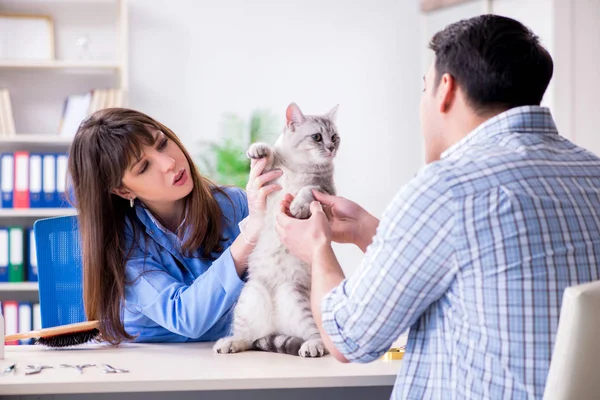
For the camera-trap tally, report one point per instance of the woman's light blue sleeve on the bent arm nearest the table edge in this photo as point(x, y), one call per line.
point(187, 310)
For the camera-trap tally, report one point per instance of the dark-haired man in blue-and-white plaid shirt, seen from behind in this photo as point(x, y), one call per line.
point(474, 253)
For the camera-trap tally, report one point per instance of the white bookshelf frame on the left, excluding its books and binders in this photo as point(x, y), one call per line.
point(39, 88)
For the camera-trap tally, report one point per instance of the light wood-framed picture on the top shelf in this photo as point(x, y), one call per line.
point(26, 37)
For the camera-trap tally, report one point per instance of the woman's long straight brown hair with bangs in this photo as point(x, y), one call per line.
point(101, 152)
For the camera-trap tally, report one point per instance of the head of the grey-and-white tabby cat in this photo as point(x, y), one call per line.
point(315, 137)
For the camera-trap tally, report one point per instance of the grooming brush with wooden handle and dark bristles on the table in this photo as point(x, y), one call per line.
point(61, 336)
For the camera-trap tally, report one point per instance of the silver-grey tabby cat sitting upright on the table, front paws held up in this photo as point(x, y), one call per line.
point(273, 312)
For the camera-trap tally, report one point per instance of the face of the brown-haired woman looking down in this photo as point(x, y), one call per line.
point(161, 175)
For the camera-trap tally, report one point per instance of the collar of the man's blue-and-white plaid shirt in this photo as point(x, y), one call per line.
point(525, 119)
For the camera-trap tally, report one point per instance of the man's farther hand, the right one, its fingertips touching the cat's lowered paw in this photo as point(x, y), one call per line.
point(350, 223)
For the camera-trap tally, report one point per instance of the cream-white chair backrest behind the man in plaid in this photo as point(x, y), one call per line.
point(575, 366)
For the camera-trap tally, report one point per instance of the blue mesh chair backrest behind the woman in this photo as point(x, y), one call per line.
point(58, 250)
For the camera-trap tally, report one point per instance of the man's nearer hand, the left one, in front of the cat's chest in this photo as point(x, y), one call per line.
point(305, 237)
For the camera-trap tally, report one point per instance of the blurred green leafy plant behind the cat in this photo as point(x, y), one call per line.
point(226, 163)
